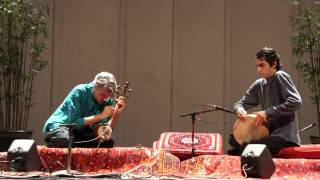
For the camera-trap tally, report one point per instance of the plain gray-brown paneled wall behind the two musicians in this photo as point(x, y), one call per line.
point(178, 55)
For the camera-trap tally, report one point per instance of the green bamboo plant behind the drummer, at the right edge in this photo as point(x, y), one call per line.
point(306, 45)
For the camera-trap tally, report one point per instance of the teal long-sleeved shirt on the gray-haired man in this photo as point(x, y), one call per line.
point(79, 103)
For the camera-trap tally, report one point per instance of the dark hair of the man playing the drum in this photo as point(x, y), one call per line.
point(270, 56)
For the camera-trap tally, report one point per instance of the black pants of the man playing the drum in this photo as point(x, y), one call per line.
point(274, 144)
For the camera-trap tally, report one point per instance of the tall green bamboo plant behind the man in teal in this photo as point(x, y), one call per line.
point(23, 30)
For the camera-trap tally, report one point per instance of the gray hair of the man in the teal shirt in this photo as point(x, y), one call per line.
point(105, 80)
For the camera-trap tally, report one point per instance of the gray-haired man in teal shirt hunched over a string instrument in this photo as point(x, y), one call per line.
point(87, 105)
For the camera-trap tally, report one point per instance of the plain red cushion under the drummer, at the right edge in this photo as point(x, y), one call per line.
point(308, 151)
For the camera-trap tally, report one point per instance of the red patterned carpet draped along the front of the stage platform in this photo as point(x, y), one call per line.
point(148, 163)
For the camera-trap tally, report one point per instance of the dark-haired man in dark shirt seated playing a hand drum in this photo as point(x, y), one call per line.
point(279, 99)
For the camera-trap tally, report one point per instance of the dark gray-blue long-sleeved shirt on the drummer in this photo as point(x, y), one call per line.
point(279, 98)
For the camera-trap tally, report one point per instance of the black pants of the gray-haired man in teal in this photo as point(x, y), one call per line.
point(59, 139)
